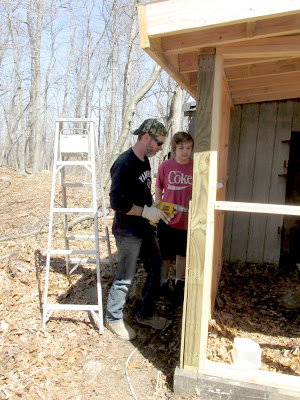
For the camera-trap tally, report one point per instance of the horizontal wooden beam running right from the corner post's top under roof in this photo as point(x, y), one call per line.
point(269, 47)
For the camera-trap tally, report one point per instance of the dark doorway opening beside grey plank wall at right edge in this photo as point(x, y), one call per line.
point(291, 224)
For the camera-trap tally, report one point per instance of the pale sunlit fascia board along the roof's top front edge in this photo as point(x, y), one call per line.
point(166, 17)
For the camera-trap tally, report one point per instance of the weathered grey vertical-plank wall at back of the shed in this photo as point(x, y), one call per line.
point(258, 155)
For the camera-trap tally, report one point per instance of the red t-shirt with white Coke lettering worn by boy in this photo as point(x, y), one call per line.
point(175, 180)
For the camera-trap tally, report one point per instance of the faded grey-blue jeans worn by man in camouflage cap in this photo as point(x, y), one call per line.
point(129, 250)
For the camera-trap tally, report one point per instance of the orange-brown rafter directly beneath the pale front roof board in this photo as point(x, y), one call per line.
point(234, 33)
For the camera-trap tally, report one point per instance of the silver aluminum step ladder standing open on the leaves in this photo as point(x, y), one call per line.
point(76, 151)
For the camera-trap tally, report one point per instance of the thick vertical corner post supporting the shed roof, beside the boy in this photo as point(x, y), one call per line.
point(201, 229)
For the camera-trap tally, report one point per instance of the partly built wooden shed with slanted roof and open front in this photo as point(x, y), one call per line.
point(240, 61)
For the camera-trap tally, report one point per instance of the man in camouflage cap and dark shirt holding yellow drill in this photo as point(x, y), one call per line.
point(130, 197)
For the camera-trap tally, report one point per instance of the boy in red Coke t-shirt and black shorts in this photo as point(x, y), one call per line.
point(174, 185)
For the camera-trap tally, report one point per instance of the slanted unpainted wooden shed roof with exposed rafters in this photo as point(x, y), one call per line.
point(259, 41)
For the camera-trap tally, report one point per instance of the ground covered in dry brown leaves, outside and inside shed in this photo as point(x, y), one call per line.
point(68, 359)
